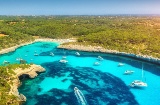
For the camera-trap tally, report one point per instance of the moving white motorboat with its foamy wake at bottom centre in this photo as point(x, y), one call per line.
point(80, 97)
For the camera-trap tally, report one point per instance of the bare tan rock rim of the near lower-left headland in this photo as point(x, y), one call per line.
point(31, 71)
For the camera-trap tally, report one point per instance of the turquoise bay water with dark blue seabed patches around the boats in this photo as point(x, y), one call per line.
point(104, 84)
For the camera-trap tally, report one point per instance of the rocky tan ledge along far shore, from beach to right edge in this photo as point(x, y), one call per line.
point(103, 50)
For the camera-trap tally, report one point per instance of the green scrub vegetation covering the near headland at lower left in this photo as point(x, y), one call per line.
point(7, 76)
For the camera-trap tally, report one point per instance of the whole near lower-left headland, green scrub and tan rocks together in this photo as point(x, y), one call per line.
point(11, 82)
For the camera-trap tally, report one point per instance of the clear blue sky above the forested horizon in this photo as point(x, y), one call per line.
point(78, 7)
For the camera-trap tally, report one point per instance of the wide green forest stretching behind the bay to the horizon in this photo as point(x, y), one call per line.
point(140, 35)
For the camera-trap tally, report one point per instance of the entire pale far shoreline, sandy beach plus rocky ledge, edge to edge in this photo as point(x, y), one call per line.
point(88, 48)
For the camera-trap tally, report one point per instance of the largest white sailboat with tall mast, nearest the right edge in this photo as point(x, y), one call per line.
point(139, 83)
